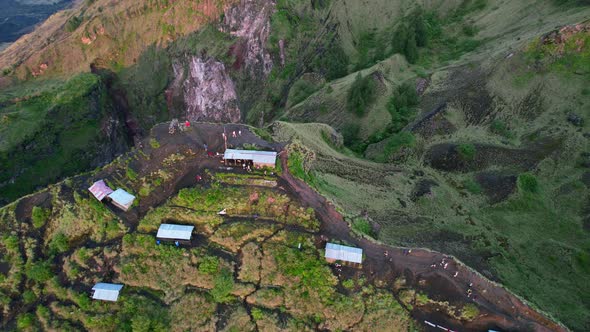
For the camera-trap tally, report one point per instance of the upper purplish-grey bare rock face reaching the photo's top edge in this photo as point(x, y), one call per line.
point(250, 21)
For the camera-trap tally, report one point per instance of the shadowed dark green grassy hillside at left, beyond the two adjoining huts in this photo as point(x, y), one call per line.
point(52, 129)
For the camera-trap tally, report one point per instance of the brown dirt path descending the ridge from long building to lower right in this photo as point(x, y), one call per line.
point(499, 309)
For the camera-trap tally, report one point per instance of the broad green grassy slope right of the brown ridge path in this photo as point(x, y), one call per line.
point(497, 175)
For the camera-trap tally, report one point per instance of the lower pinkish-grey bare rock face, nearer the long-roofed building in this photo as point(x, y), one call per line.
point(205, 91)
